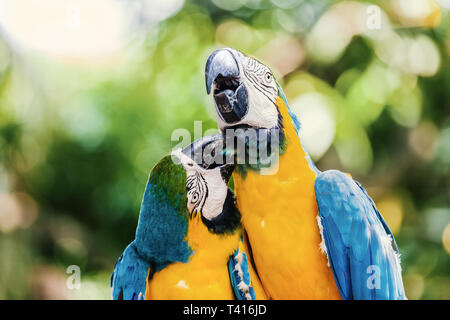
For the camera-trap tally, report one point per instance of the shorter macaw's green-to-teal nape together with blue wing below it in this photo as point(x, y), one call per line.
point(162, 227)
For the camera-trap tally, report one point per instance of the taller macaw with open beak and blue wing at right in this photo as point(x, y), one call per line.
point(313, 234)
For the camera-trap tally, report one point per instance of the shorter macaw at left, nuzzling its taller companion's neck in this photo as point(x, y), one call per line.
point(189, 242)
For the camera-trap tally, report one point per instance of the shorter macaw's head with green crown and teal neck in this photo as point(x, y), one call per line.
point(180, 191)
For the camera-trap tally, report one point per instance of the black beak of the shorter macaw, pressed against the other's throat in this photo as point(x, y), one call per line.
point(210, 153)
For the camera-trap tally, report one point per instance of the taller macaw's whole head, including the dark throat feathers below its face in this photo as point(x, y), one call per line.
point(250, 104)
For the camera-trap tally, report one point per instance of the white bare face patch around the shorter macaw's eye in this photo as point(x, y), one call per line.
point(206, 190)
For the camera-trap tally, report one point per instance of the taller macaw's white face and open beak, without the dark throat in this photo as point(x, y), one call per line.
point(245, 91)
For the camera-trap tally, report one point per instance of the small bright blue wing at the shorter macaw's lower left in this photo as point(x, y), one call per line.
point(128, 280)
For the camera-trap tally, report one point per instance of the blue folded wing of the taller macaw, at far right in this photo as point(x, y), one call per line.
point(361, 248)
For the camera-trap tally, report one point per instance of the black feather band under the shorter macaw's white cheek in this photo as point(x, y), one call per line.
point(228, 220)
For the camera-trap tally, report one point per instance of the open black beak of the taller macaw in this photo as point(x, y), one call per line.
point(230, 95)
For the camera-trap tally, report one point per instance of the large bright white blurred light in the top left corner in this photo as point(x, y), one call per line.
point(64, 28)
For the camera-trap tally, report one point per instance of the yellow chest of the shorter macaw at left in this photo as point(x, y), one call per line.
point(205, 276)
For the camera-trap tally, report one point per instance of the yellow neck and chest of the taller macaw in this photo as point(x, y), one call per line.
point(279, 213)
